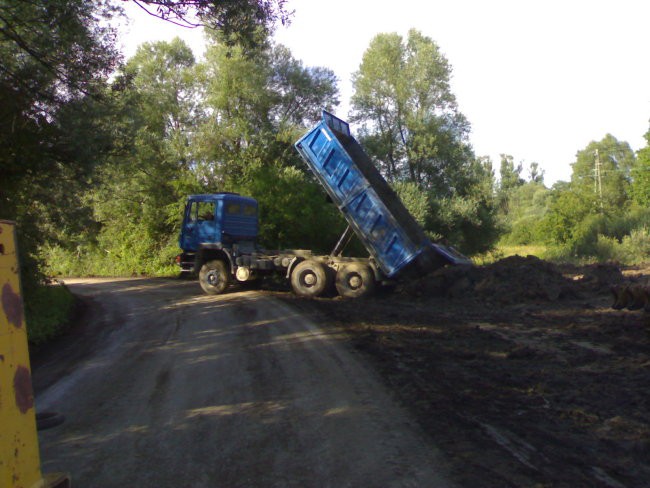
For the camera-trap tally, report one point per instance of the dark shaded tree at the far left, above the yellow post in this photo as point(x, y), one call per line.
point(55, 56)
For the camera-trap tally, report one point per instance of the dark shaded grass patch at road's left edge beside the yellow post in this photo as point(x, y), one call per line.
point(48, 311)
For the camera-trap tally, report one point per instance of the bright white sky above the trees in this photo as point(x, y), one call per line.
point(537, 80)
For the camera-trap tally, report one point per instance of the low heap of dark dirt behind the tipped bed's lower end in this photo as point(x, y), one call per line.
point(512, 280)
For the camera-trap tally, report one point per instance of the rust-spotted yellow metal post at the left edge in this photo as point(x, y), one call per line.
point(19, 457)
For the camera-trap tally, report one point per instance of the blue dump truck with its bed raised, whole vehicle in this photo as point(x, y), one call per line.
point(219, 231)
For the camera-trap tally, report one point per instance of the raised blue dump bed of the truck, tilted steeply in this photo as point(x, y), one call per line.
point(372, 209)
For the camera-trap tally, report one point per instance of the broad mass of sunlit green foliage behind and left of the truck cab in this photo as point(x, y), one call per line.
point(227, 124)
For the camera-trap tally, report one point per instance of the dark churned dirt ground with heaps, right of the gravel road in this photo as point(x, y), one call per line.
point(520, 372)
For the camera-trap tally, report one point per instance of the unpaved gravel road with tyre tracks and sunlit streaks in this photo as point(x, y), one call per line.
point(162, 386)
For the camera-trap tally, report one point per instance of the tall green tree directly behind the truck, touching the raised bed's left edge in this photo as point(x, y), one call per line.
point(259, 104)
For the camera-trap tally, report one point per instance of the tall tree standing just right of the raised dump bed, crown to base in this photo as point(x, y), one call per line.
point(412, 129)
